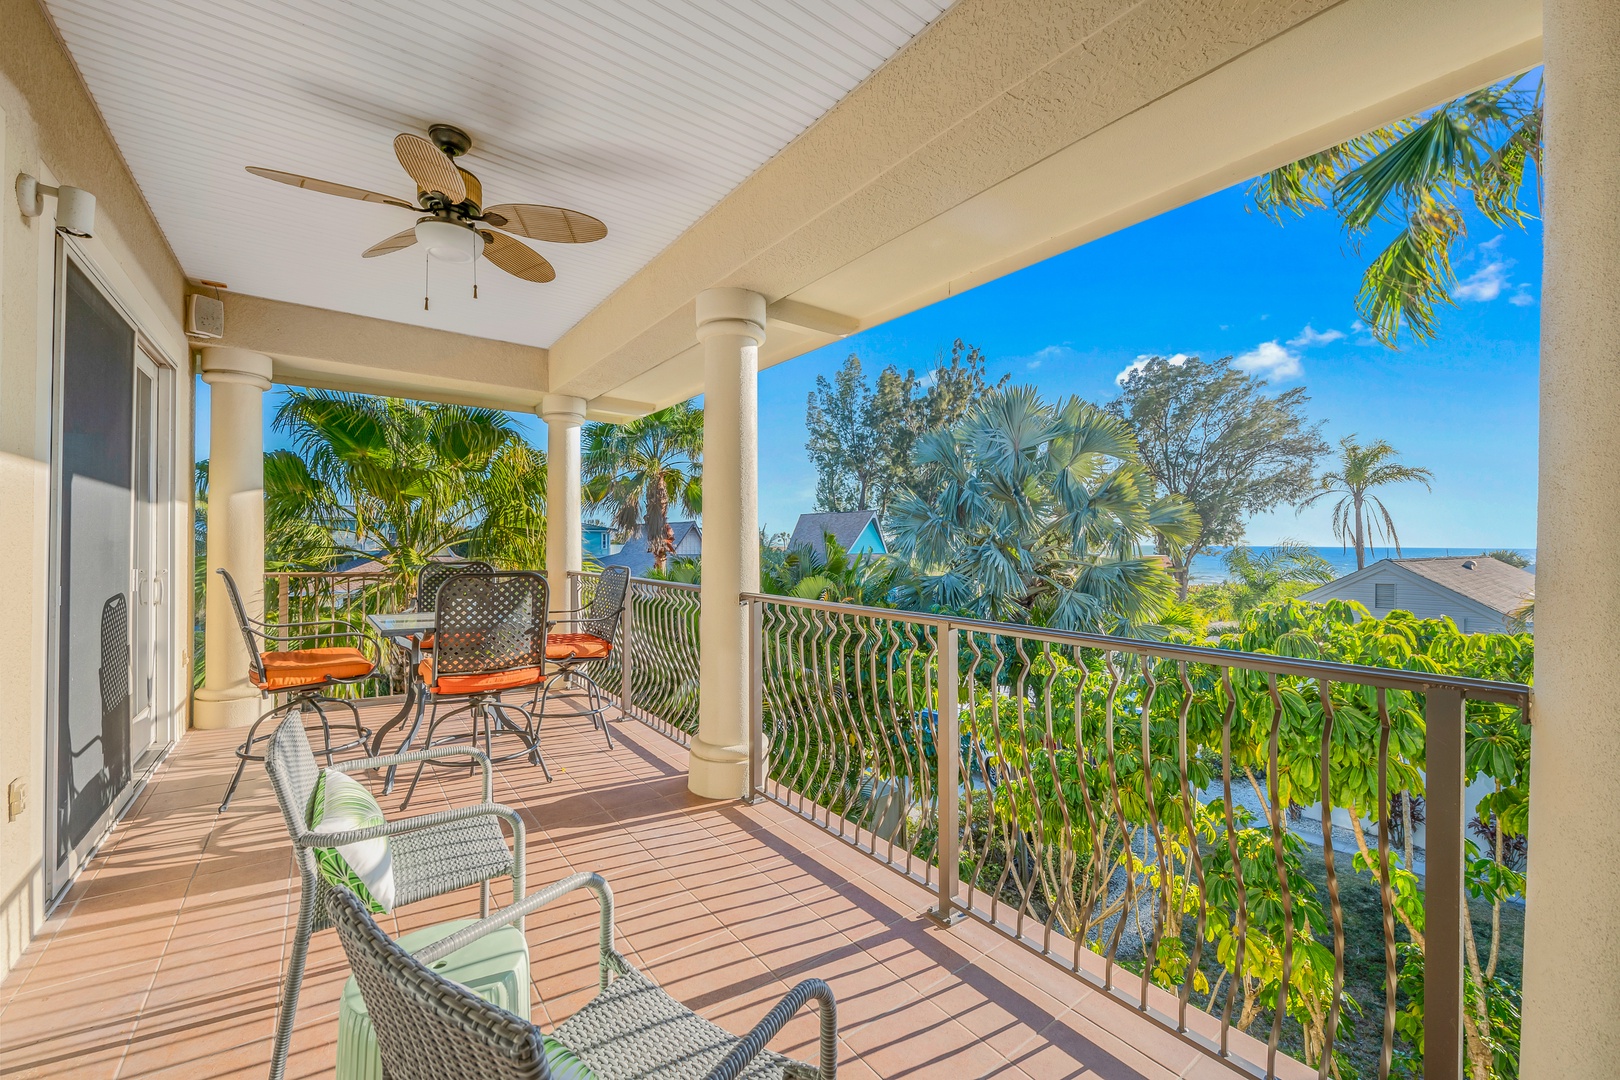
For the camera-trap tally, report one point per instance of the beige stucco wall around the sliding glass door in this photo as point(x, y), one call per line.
point(51, 129)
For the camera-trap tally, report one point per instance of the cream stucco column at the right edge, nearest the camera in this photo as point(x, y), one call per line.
point(1572, 932)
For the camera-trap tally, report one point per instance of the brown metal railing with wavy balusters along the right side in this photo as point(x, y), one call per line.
point(1128, 809)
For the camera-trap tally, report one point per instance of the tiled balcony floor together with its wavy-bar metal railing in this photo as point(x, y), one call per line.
point(1081, 933)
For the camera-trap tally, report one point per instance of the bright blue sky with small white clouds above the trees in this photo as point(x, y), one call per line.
point(1216, 279)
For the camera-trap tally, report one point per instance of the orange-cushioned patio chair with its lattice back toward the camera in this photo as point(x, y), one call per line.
point(490, 637)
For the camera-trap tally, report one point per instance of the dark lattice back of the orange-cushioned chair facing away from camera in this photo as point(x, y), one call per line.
point(490, 623)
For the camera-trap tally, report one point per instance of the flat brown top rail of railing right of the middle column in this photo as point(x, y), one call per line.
point(1388, 678)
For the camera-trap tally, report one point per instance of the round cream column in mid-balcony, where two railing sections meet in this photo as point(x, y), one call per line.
point(731, 326)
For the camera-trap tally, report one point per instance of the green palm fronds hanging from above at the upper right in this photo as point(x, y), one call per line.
point(1415, 176)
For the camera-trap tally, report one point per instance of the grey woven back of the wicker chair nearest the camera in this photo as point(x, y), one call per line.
point(428, 1027)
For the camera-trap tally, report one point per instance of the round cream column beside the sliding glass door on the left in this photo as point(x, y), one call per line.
point(236, 530)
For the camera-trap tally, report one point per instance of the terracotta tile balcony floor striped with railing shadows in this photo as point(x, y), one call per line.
point(164, 958)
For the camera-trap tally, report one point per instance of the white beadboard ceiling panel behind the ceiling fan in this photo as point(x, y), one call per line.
point(642, 113)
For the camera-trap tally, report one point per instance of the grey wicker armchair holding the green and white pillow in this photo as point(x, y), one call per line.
point(432, 854)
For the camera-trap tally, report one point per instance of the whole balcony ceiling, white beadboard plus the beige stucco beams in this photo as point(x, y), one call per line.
point(850, 161)
